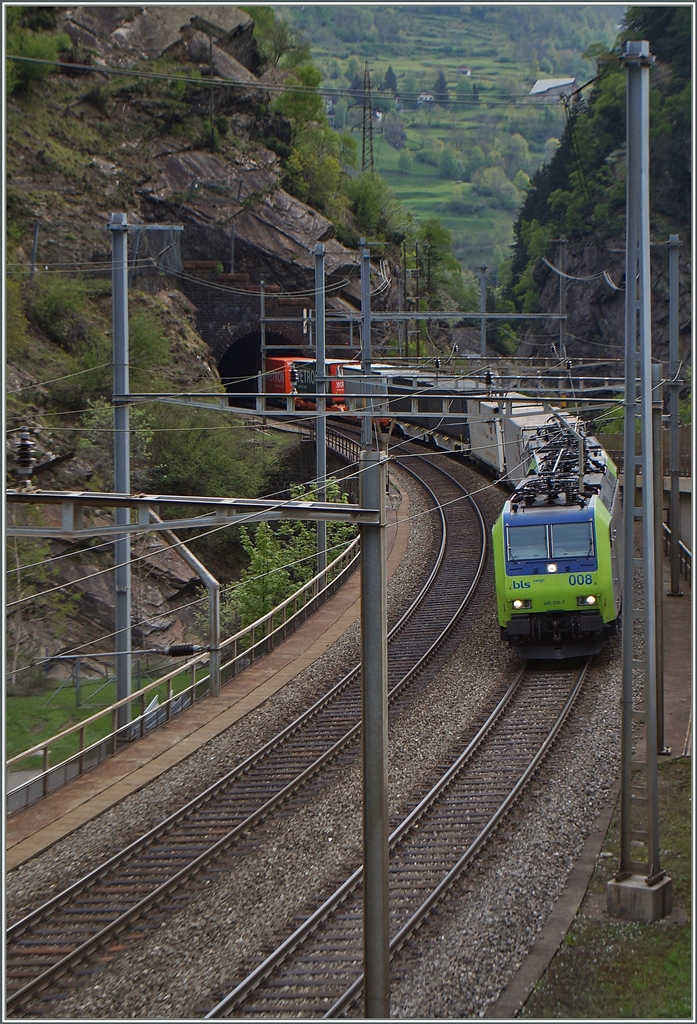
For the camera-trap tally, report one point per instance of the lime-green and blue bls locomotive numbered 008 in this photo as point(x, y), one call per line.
point(556, 549)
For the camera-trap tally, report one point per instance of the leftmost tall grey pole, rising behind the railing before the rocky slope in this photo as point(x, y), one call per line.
point(122, 474)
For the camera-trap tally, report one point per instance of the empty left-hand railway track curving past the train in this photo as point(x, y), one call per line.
point(64, 931)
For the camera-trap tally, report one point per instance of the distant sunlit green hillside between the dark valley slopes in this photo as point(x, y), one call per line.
point(468, 148)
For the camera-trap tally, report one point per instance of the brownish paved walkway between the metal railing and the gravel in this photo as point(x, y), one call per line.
point(32, 831)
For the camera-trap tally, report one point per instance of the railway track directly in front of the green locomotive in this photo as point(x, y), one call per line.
point(316, 972)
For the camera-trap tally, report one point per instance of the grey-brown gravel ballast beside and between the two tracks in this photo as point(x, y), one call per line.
point(180, 967)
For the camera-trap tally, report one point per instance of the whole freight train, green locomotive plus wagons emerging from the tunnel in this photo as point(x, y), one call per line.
point(556, 544)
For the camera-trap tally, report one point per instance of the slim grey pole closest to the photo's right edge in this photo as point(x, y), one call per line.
point(674, 393)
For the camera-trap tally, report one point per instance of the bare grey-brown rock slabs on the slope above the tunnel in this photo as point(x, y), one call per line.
point(214, 197)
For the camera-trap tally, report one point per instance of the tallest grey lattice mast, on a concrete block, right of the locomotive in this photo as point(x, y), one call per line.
point(640, 890)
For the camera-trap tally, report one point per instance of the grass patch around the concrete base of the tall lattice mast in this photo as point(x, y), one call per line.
point(609, 969)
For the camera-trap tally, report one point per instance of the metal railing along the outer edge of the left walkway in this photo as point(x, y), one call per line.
point(242, 650)
